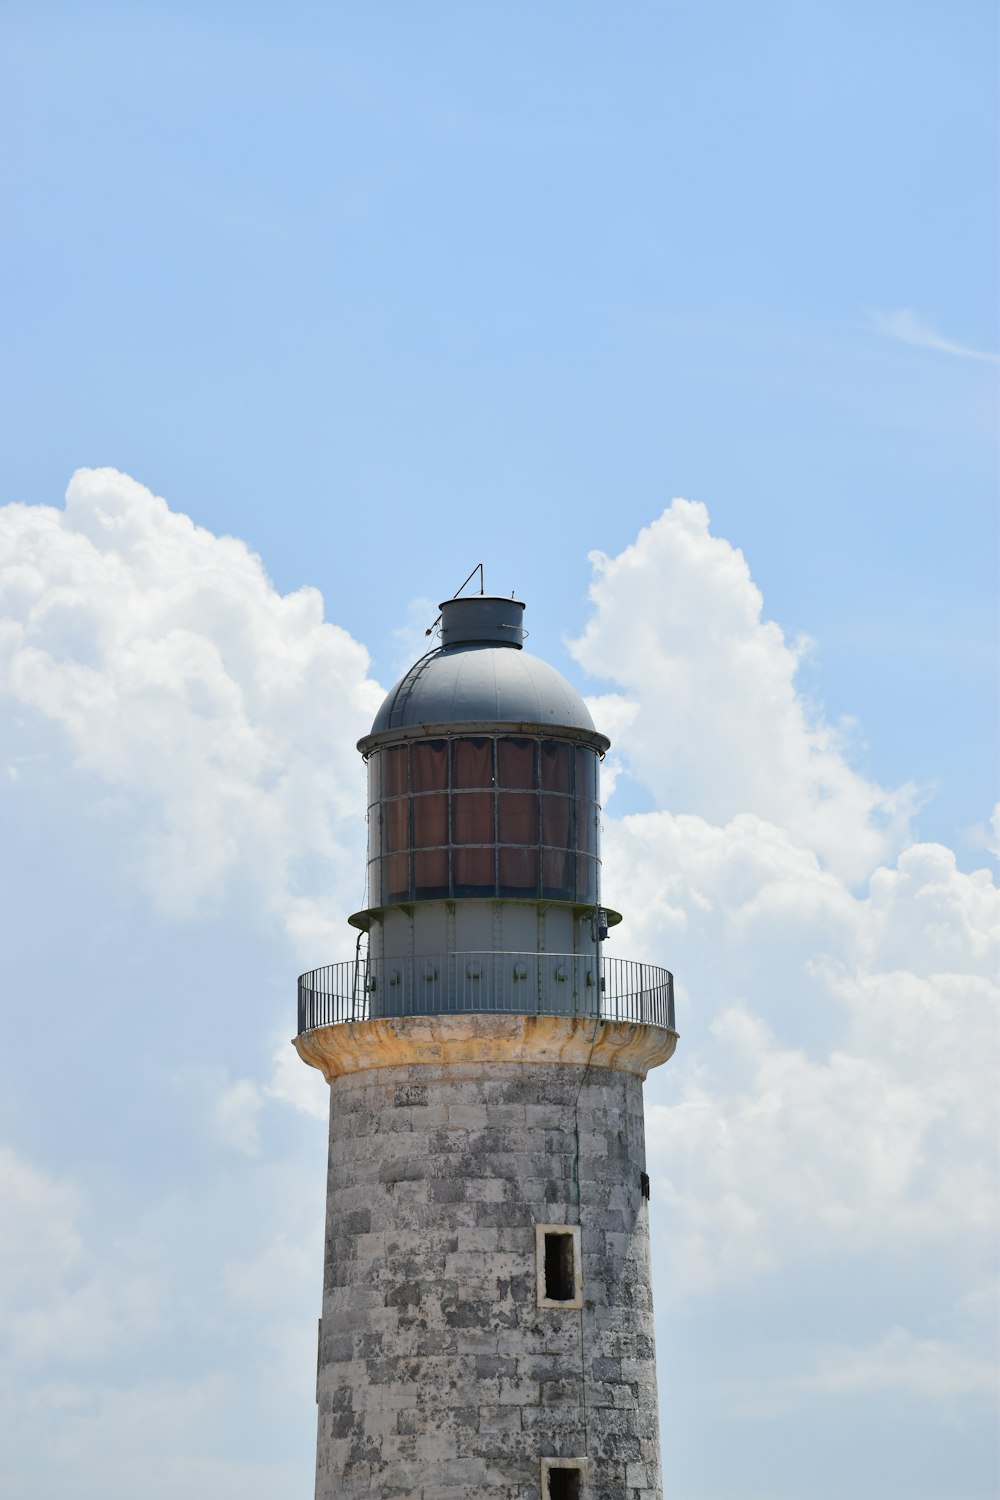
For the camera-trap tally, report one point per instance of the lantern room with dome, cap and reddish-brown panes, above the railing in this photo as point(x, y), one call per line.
point(484, 808)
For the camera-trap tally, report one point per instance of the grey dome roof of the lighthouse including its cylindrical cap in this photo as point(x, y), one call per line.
point(481, 679)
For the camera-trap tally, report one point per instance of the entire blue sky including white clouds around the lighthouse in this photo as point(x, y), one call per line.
point(379, 293)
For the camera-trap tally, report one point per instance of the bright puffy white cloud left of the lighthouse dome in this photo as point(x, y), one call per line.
point(223, 710)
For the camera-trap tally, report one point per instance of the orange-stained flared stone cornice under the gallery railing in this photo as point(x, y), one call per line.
point(400, 1042)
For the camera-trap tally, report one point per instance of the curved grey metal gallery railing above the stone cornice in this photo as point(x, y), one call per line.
point(487, 983)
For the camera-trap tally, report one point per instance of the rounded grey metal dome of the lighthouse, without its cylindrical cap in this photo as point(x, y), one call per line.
point(484, 685)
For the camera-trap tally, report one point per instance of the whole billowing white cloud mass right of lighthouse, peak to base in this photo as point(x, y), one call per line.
point(833, 1102)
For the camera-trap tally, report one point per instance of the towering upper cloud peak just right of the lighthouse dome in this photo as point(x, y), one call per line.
point(714, 724)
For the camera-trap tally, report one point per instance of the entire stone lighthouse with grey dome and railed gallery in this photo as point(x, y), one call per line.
point(488, 1309)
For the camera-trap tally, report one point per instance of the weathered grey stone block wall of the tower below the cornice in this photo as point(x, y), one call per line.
point(440, 1376)
